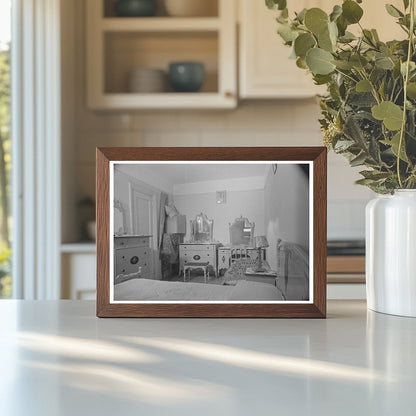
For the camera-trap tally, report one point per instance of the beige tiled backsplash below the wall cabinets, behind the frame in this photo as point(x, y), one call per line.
point(271, 123)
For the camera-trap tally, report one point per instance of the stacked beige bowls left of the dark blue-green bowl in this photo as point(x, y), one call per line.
point(147, 80)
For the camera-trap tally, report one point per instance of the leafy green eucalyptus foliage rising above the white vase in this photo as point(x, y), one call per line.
point(385, 96)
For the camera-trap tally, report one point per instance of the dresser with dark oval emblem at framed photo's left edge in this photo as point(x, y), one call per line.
point(132, 252)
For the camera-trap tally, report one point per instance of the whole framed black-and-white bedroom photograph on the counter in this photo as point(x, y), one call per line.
point(211, 232)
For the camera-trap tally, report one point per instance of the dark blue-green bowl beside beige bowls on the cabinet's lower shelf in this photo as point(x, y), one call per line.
point(186, 76)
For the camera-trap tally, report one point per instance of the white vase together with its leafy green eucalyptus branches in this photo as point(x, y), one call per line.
point(369, 116)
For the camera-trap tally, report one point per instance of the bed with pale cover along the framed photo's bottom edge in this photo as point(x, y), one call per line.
point(155, 290)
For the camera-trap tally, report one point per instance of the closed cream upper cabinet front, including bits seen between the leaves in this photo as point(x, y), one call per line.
point(265, 69)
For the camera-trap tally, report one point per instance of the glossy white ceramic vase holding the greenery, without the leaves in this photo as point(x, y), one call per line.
point(391, 253)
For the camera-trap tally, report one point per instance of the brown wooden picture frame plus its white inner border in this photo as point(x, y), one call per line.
point(315, 304)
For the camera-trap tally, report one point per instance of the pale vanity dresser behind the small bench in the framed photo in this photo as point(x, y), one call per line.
point(199, 253)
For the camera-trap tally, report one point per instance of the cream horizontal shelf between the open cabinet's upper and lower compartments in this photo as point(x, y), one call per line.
point(160, 24)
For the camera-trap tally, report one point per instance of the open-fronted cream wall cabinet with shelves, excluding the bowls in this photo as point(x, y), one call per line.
point(118, 45)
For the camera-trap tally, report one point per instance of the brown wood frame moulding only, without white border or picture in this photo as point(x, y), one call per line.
point(317, 309)
